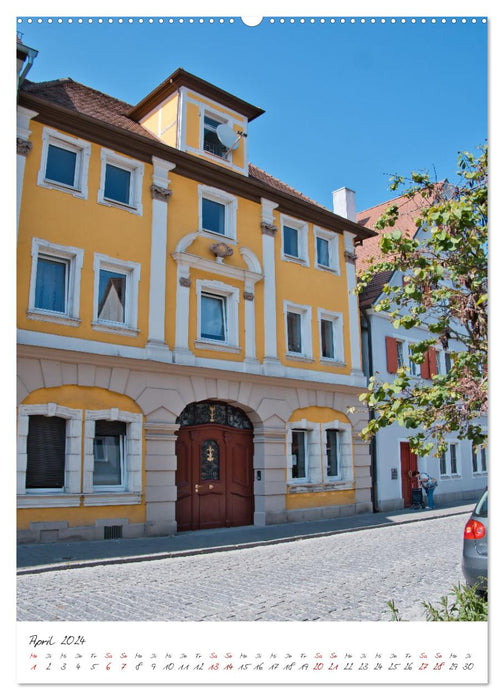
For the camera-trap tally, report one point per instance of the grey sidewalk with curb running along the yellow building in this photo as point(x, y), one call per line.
point(35, 558)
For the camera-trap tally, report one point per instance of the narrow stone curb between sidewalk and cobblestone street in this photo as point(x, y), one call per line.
point(138, 558)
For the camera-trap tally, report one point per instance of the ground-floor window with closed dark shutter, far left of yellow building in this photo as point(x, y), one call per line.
point(46, 453)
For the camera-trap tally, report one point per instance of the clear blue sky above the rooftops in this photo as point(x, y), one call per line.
point(346, 104)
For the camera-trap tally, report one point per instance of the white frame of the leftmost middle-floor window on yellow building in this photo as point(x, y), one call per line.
point(73, 258)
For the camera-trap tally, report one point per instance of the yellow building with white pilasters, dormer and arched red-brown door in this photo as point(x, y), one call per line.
point(188, 345)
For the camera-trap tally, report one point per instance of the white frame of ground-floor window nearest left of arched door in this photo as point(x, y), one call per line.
point(131, 489)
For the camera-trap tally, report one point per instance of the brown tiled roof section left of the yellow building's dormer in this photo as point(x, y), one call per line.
point(85, 100)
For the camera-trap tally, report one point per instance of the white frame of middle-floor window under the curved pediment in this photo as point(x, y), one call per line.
point(231, 296)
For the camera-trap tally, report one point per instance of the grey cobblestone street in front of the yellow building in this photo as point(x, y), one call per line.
point(348, 577)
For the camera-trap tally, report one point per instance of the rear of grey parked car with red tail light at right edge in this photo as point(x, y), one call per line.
point(475, 551)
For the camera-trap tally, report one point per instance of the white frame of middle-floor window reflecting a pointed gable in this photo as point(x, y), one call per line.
point(132, 272)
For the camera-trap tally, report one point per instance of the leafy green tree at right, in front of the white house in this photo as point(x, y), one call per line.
point(444, 289)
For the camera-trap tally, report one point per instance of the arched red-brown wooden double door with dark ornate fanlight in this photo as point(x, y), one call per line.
point(215, 476)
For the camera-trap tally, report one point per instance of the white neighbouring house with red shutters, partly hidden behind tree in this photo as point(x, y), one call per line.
point(461, 472)
